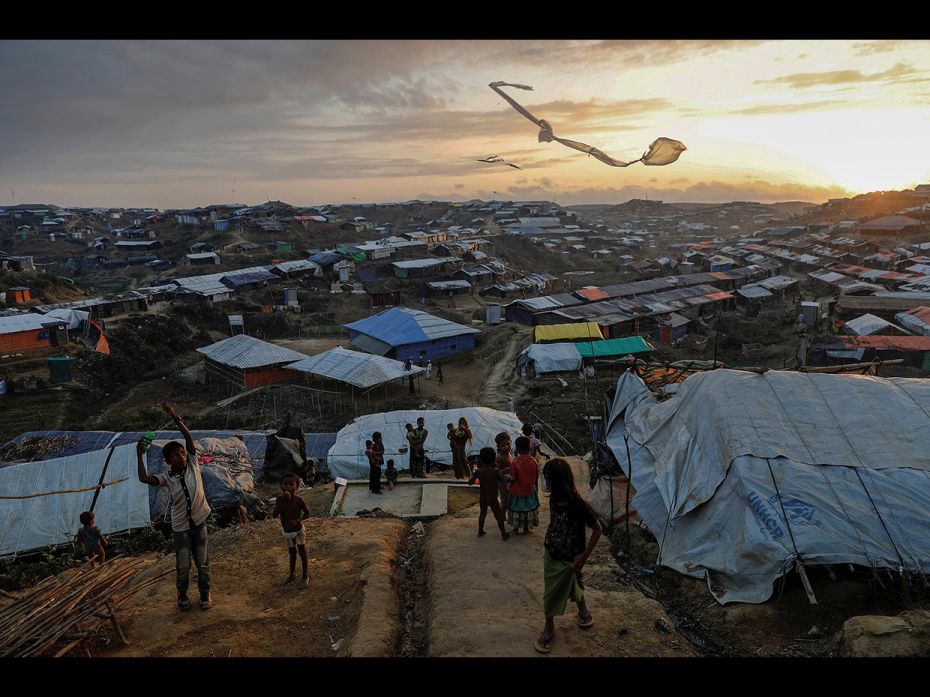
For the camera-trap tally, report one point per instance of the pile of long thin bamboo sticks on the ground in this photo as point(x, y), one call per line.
point(62, 611)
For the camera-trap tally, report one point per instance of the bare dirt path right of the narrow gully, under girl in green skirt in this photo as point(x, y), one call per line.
point(486, 596)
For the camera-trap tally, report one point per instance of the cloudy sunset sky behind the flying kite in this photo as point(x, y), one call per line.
point(186, 123)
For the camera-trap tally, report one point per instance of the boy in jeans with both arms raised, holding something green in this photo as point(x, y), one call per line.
point(189, 510)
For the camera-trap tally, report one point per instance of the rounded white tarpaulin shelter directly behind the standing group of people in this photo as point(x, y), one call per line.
point(347, 456)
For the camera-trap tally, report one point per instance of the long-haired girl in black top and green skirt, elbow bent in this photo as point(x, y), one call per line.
point(565, 550)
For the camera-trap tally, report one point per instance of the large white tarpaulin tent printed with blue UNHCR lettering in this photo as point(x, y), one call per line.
point(741, 476)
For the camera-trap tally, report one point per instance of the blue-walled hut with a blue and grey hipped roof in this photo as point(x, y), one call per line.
point(402, 333)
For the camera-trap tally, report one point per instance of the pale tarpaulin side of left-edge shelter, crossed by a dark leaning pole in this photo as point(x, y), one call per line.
point(37, 522)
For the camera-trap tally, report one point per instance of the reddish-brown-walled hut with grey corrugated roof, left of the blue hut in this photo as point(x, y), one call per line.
point(242, 362)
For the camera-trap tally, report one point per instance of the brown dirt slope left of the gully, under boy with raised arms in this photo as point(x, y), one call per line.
point(350, 604)
